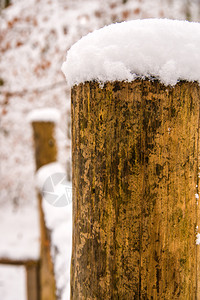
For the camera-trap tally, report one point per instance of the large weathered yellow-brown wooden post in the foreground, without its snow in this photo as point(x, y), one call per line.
point(135, 175)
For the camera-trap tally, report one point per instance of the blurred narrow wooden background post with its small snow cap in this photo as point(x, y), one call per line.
point(45, 153)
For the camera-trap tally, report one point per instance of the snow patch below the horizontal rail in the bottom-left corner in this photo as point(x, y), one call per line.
point(12, 282)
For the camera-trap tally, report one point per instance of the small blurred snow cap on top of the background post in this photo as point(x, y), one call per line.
point(44, 115)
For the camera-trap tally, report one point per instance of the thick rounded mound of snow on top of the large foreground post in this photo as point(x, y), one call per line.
point(154, 48)
